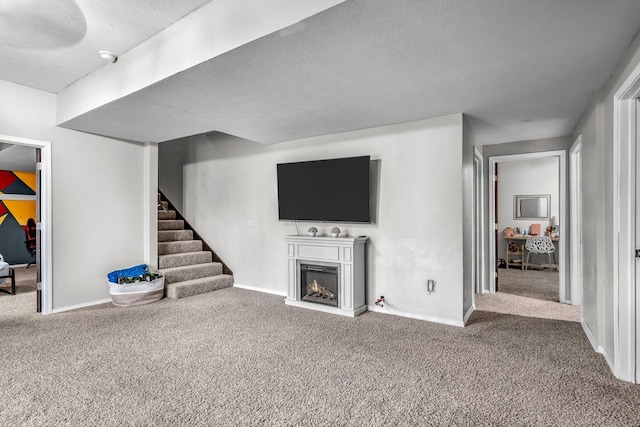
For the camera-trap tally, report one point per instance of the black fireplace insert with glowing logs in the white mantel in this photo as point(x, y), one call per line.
point(319, 284)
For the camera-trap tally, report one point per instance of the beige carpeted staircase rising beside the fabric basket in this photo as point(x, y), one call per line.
point(188, 268)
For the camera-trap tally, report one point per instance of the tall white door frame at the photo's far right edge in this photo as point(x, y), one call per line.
point(626, 325)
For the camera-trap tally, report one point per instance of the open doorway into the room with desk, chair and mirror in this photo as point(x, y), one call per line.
point(510, 254)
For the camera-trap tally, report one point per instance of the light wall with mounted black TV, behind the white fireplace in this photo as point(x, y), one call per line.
point(418, 233)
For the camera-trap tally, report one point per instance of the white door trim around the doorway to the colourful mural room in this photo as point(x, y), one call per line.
point(45, 212)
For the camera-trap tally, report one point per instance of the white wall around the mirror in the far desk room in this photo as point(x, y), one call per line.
point(523, 177)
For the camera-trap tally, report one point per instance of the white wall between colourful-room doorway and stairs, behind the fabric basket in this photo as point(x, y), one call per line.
point(97, 197)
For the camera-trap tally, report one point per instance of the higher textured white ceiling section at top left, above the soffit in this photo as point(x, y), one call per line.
point(49, 45)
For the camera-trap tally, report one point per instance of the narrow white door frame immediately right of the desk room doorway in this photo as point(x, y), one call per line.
point(575, 202)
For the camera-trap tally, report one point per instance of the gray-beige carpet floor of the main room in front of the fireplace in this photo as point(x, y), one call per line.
point(237, 357)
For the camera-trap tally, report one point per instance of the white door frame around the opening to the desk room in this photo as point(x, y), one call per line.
point(562, 155)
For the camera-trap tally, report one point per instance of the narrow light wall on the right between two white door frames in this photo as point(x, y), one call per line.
point(598, 233)
